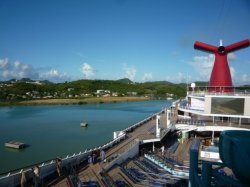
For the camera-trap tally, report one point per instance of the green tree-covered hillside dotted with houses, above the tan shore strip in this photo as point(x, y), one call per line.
point(26, 89)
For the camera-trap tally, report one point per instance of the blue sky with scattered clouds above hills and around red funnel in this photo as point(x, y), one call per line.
point(144, 40)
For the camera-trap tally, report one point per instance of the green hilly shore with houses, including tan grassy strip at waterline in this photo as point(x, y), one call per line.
point(33, 92)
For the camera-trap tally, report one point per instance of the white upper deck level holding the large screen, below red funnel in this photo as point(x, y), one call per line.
point(203, 102)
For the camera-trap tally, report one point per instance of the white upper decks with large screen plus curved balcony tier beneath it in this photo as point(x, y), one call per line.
point(230, 109)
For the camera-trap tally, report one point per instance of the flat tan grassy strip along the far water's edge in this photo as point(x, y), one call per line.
point(90, 100)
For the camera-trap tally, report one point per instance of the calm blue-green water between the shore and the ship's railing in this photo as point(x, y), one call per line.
point(53, 131)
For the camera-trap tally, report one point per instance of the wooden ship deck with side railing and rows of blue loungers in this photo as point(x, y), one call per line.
point(129, 160)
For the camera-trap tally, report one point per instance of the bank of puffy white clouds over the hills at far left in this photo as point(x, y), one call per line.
point(19, 70)
